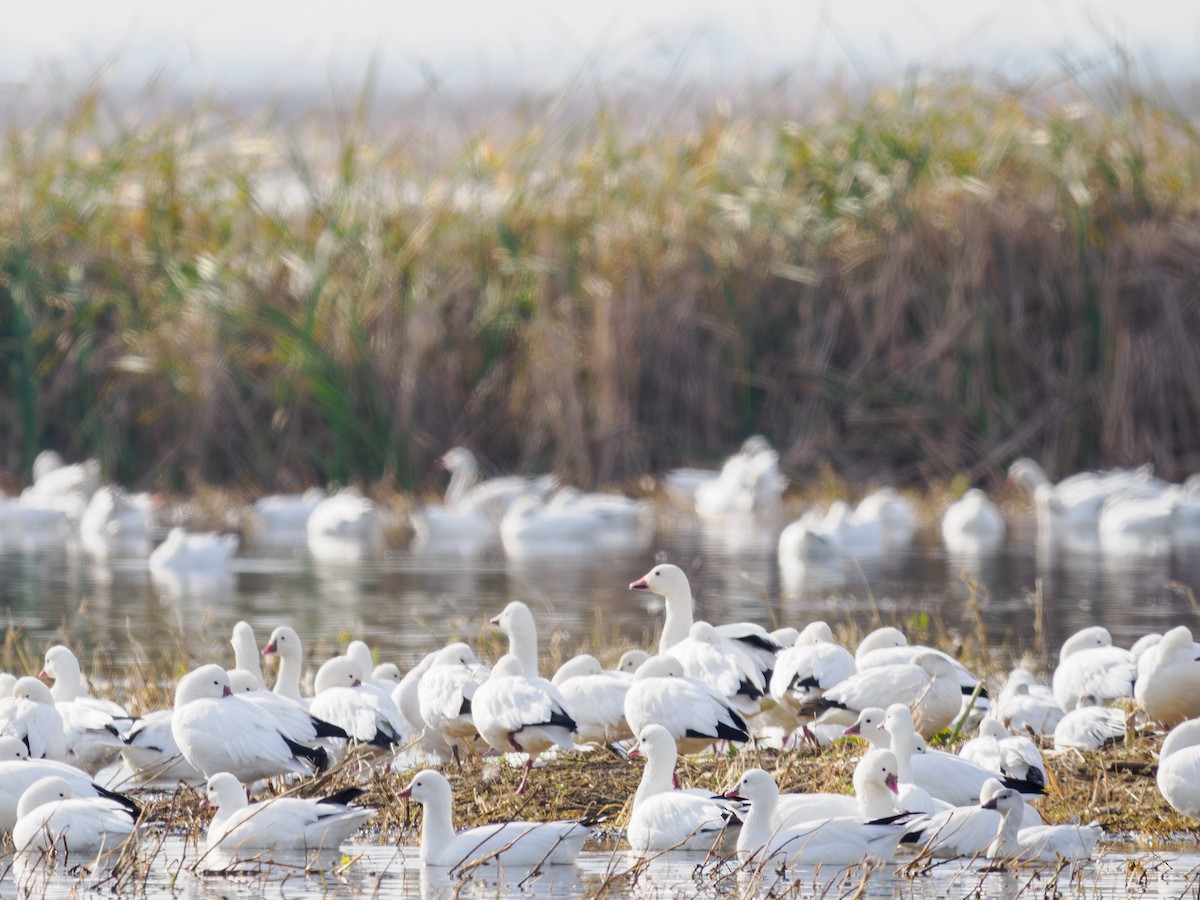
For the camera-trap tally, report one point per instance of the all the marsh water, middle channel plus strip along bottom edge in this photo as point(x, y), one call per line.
point(1027, 598)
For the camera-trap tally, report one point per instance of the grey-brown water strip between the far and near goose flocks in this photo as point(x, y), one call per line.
point(410, 603)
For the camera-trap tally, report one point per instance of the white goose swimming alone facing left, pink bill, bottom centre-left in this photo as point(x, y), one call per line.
point(509, 844)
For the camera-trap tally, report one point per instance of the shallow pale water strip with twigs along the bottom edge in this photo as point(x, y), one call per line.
point(388, 872)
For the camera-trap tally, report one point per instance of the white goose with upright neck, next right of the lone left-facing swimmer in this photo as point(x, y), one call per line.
point(663, 819)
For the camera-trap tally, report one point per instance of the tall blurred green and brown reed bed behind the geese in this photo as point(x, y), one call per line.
point(926, 280)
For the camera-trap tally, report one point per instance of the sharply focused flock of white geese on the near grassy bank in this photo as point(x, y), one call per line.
point(727, 687)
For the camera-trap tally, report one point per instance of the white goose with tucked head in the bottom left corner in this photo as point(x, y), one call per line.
point(51, 817)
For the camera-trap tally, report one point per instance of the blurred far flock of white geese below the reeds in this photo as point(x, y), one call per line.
point(1114, 512)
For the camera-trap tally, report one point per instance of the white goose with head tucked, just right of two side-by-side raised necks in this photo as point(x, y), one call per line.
point(367, 713)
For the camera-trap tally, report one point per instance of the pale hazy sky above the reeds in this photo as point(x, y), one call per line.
point(274, 45)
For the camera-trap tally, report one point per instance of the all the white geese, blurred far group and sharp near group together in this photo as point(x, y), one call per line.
point(725, 687)
